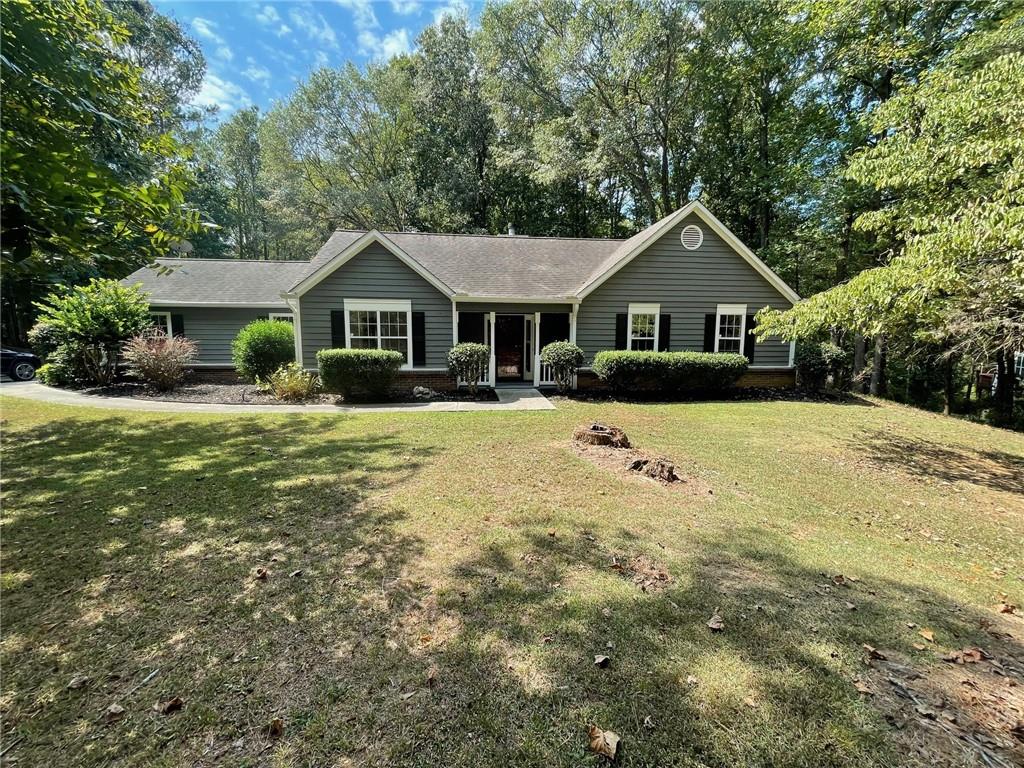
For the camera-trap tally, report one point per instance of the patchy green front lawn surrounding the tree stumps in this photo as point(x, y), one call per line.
point(438, 623)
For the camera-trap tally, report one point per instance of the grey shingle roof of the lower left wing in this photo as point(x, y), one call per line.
point(218, 282)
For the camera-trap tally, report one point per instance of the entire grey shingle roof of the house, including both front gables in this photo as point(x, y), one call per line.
point(458, 266)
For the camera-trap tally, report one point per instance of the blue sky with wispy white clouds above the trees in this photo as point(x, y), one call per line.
point(258, 52)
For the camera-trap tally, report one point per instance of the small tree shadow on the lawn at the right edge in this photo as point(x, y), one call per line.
point(993, 468)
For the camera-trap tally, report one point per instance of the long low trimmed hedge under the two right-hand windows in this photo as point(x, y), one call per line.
point(676, 373)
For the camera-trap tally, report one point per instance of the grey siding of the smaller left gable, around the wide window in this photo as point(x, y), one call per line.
point(375, 274)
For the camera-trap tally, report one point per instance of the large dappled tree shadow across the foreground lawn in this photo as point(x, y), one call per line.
point(367, 666)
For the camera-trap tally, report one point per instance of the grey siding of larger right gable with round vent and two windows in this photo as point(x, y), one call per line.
point(689, 285)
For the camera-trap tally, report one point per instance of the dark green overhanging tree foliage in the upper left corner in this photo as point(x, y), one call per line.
point(87, 183)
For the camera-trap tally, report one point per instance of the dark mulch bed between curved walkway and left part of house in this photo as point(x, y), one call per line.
point(249, 395)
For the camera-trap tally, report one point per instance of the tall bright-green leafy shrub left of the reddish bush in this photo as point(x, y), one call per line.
point(92, 323)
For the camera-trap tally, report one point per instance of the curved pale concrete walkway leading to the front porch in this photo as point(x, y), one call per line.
point(508, 400)
